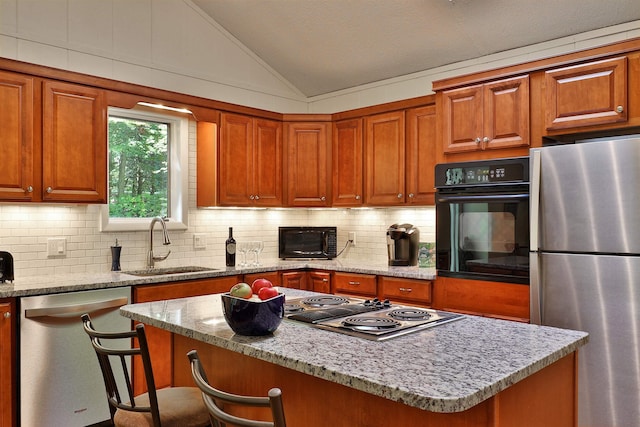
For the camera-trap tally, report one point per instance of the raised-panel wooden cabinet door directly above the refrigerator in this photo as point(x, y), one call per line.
point(588, 94)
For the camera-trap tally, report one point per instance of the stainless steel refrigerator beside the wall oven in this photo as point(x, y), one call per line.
point(585, 267)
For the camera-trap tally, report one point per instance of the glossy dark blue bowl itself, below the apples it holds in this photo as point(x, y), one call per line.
point(247, 317)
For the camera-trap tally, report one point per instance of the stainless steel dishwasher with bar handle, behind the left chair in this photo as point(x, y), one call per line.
point(60, 379)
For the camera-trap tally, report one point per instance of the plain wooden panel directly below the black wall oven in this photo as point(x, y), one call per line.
point(508, 301)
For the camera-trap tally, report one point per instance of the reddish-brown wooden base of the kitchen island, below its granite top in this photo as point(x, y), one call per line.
point(546, 398)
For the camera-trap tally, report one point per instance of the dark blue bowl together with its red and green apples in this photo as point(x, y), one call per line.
point(255, 309)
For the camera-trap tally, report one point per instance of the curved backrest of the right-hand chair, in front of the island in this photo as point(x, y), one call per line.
point(215, 399)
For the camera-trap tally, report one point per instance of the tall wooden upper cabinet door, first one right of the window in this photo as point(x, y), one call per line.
point(236, 160)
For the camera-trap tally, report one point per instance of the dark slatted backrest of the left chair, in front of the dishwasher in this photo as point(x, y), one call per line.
point(114, 361)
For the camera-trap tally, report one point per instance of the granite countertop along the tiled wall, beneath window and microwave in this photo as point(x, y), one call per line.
point(51, 284)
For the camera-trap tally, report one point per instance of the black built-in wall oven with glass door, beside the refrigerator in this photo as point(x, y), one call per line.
point(482, 220)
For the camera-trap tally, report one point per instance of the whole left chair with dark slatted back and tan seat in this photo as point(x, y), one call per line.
point(167, 407)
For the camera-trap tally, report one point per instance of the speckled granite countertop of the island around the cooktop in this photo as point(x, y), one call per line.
point(448, 368)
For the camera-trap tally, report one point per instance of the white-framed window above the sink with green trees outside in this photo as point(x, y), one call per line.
point(148, 157)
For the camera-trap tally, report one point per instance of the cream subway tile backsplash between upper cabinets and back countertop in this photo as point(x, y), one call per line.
point(26, 228)
